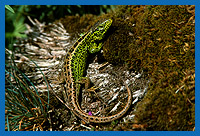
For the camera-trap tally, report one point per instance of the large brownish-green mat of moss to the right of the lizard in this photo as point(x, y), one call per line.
point(162, 45)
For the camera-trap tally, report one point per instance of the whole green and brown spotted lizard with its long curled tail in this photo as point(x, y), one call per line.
point(75, 67)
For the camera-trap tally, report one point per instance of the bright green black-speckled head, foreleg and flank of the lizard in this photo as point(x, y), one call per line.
point(89, 43)
